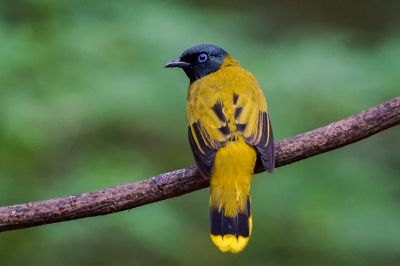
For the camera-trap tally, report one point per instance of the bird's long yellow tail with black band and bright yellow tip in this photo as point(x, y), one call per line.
point(231, 220)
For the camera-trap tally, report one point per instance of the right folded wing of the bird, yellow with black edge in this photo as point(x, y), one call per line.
point(253, 123)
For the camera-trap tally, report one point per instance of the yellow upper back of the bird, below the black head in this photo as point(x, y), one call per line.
point(239, 95)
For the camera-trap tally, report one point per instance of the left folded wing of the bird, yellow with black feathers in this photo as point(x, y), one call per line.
point(208, 131)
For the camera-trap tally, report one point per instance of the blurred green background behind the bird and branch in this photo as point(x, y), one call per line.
point(85, 104)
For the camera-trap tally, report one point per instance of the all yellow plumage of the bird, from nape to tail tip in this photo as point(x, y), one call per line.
point(234, 161)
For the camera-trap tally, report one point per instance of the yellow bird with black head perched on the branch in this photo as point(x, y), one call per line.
point(229, 131)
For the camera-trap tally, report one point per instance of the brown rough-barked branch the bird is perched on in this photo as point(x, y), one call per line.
point(179, 182)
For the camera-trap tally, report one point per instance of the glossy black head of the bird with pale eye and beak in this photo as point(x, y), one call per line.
point(200, 60)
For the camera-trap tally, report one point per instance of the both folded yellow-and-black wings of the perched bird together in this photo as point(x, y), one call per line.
point(246, 115)
